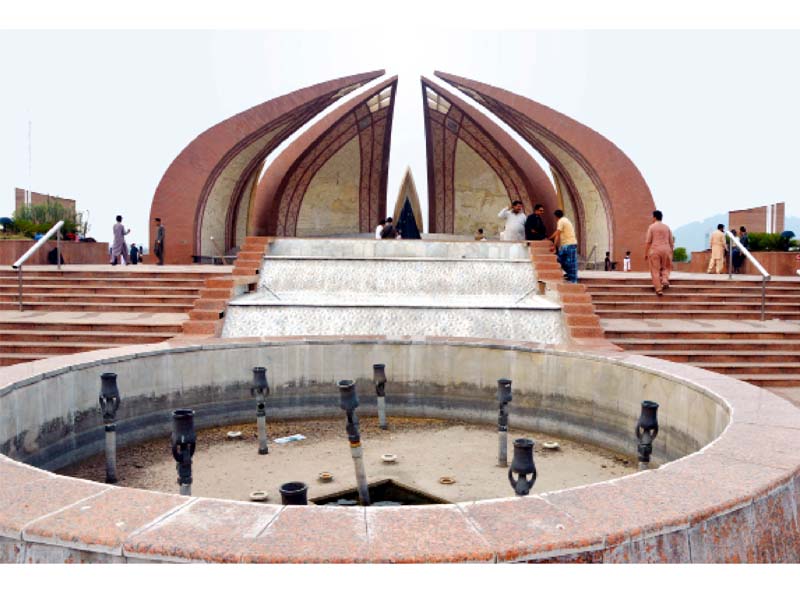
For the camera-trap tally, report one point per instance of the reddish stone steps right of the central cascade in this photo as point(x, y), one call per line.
point(710, 323)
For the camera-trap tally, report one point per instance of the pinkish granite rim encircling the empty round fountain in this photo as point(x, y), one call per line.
point(741, 489)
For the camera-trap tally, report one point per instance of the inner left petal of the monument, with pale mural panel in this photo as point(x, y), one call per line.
point(331, 180)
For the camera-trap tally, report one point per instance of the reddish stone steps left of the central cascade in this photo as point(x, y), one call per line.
point(83, 308)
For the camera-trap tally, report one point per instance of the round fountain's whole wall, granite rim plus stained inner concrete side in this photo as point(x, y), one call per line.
point(733, 499)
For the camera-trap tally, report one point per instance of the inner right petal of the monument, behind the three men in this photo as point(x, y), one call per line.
point(475, 168)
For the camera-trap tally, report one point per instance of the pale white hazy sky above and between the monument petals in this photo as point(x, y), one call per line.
point(709, 117)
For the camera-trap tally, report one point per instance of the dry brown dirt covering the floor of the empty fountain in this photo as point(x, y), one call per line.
point(426, 450)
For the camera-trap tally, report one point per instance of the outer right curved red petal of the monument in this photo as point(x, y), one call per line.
point(598, 185)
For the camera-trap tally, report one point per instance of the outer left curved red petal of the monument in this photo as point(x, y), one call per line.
point(205, 192)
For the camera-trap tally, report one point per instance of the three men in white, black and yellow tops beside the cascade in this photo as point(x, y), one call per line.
point(520, 227)
